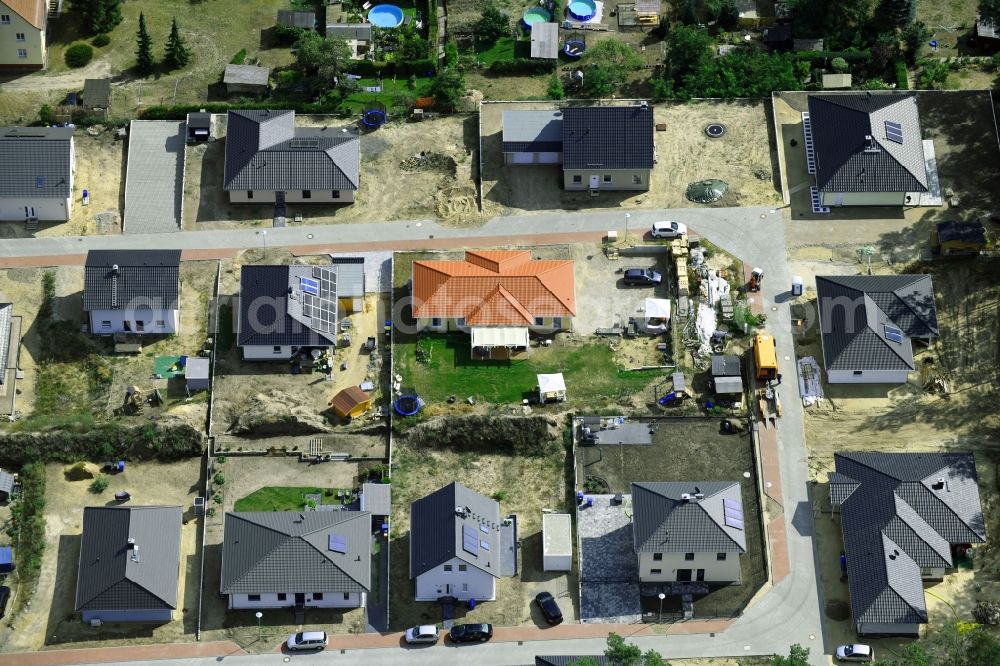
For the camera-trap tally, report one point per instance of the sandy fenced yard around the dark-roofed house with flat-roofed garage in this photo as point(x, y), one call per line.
point(685, 154)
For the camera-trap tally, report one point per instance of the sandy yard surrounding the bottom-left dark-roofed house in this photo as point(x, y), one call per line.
point(49, 621)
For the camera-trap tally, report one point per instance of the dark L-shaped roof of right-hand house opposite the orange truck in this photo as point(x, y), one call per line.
point(854, 311)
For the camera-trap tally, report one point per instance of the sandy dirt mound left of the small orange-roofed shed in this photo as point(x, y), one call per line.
point(274, 412)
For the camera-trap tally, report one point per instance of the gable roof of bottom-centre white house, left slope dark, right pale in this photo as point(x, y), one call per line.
point(437, 529)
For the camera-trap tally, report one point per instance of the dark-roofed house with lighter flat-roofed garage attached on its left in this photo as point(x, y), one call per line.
point(599, 147)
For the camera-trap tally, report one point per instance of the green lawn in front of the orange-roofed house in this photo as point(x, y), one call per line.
point(589, 370)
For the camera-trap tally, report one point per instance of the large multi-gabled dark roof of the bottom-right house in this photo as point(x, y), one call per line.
point(902, 512)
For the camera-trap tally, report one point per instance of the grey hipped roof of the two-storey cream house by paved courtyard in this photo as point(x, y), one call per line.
point(663, 522)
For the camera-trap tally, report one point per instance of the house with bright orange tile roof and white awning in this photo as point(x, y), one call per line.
point(497, 296)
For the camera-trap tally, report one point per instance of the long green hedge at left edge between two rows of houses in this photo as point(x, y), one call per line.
point(107, 442)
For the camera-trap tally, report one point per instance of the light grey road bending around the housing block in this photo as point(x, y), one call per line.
point(788, 613)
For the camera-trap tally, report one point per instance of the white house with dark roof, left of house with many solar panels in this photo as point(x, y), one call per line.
point(132, 291)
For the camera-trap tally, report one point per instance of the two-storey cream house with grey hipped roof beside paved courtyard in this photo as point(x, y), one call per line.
point(688, 531)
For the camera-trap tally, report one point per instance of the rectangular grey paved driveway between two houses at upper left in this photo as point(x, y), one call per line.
point(154, 177)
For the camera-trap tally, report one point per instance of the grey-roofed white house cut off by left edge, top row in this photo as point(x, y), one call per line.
point(36, 173)
